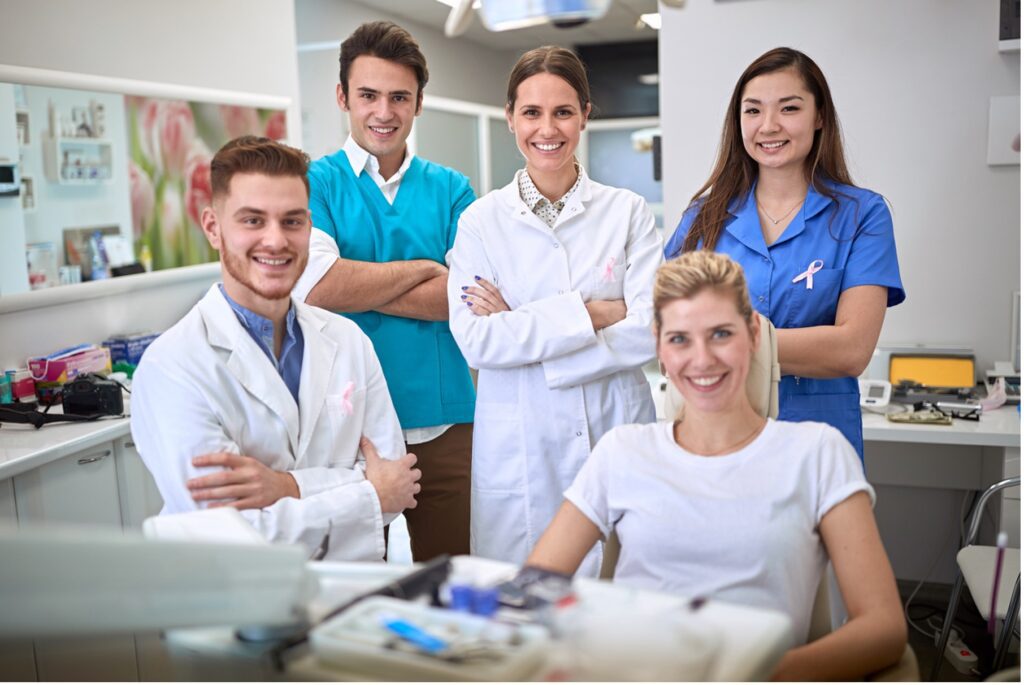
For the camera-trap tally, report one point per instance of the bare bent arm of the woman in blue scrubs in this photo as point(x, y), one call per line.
point(843, 350)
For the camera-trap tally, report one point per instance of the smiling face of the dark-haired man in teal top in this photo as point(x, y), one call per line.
point(382, 103)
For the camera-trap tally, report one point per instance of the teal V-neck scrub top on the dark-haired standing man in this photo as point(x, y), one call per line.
point(426, 374)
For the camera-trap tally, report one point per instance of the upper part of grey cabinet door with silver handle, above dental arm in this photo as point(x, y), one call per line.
point(81, 489)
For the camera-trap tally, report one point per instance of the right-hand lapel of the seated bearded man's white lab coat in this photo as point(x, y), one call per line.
point(318, 370)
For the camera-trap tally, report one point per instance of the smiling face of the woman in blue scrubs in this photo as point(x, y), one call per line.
point(779, 119)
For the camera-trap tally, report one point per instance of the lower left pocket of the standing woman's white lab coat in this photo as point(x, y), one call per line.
point(499, 459)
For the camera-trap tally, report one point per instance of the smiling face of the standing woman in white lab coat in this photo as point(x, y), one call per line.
point(547, 120)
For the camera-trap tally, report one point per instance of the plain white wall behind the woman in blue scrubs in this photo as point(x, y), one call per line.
point(912, 82)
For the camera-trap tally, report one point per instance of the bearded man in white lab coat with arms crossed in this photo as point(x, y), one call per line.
point(263, 403)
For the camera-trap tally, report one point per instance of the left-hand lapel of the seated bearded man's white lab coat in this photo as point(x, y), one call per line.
point(248, 363)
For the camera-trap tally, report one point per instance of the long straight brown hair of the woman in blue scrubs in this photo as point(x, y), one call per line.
point(736, 172)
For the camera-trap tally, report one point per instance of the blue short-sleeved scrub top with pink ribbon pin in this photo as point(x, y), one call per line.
point(854, 238)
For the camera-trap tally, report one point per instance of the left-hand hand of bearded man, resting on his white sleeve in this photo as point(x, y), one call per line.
point(244, 484)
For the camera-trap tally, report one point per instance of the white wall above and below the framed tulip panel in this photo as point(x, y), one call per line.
point(241, 46)
